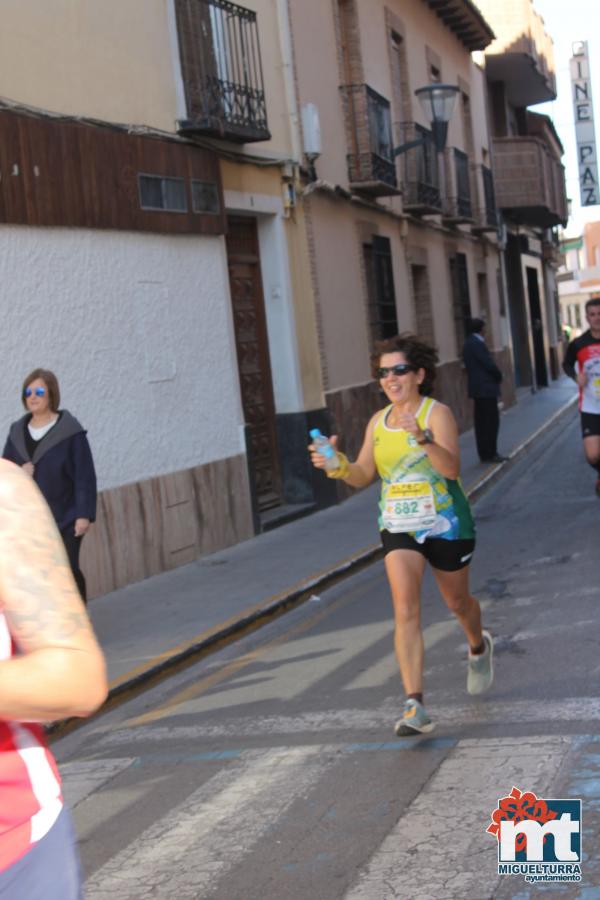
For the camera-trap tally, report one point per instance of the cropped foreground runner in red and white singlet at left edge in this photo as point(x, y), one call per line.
point(51, 667)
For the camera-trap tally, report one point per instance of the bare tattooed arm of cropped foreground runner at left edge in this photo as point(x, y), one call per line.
point(60, 668)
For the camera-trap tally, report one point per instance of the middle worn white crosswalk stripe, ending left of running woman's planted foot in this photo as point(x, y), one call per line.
point(185, 852)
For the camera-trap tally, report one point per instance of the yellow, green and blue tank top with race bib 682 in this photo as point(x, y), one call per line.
point(415, 498)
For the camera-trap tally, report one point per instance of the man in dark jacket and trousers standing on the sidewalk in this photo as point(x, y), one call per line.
point(484, 379)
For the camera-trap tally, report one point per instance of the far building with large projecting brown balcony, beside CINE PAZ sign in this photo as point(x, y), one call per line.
point(530, 183)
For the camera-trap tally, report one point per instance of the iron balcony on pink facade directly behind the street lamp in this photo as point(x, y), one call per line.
point(419, 171)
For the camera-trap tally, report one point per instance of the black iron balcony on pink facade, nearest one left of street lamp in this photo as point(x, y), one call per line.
point(371, 166)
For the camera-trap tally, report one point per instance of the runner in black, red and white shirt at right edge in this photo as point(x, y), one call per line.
point(582, 363)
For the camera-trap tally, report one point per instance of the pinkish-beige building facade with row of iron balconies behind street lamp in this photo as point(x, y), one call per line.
point(397, 243)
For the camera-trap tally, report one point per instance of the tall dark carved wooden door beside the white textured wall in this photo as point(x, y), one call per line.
point(253, 357)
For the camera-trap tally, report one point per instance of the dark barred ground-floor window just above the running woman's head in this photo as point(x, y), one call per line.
point(381, 296)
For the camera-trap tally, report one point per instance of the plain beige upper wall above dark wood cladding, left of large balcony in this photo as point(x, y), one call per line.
point(110, 60)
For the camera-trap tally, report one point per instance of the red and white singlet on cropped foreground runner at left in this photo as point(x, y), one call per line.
point(30, 792)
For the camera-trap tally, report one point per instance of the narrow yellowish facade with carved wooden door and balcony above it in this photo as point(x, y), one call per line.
point(238, 93)
